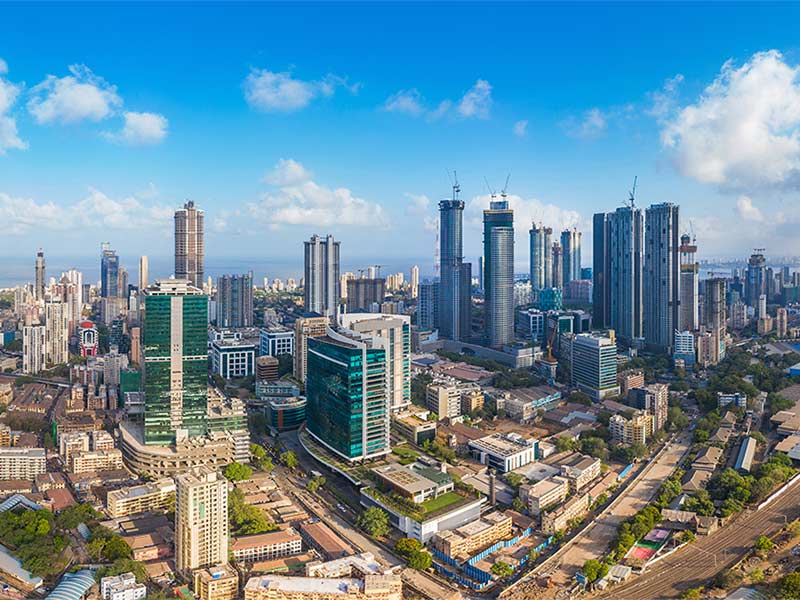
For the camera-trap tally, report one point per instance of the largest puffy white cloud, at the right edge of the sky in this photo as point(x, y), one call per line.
point(744, 129)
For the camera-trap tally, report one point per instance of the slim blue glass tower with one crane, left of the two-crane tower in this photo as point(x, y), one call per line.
point(455, 283)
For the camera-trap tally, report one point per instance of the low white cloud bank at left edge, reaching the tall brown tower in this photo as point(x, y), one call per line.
point(96, 210)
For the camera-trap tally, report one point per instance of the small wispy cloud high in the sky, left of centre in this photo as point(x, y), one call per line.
point(280, 92)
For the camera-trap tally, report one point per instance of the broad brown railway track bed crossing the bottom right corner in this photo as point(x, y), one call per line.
point(697, 563)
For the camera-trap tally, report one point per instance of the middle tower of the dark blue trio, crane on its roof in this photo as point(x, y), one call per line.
point(626, 262)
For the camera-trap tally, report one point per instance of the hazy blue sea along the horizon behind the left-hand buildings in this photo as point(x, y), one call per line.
point(17, 271)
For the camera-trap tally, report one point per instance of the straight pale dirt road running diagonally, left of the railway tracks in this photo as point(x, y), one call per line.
point(593, 541)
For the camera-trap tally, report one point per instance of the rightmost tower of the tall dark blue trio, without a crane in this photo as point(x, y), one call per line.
point(661, 276)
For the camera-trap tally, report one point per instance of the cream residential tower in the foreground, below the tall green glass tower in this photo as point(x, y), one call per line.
point(201, 520)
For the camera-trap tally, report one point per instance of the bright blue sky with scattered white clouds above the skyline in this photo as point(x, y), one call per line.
point(287, 120)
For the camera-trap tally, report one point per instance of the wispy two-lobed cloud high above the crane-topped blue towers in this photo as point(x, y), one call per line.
point(474, 104)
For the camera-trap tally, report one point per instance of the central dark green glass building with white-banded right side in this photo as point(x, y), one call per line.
point(347, 406)
